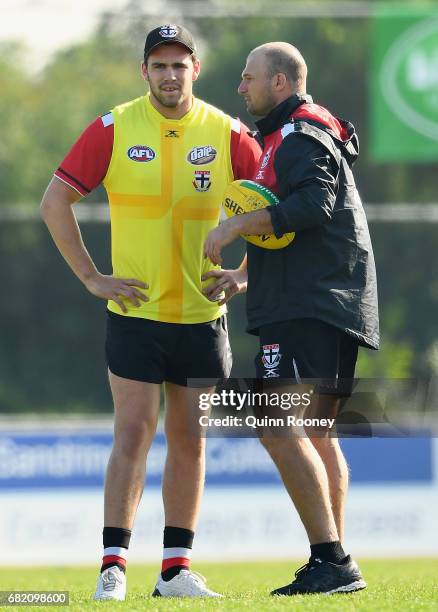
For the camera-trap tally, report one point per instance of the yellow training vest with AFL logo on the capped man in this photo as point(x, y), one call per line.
point(165, 183)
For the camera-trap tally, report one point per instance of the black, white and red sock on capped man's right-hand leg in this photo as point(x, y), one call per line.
point(177, 551)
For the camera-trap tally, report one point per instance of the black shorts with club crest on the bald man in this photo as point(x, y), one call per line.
point(308, 350)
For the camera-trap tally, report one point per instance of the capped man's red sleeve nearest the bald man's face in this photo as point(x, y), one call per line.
point(245, 151)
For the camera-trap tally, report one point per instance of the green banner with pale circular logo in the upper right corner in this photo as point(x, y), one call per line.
point(404, 84)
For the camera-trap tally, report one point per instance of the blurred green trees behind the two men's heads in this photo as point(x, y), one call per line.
point(43, 114)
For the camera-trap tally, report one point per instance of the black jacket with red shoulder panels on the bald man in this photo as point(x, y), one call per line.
point(328, 271)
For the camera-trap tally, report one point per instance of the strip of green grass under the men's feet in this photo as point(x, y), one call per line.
point(393, 586)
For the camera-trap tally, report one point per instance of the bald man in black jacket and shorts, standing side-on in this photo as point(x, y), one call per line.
point(312, 303)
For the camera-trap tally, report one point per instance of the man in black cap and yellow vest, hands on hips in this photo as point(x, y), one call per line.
point(165, 160)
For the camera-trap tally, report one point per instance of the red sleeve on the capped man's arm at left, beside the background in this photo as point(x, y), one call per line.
point(86, 164)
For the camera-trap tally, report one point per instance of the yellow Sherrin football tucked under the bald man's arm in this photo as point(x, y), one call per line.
point(246, 196)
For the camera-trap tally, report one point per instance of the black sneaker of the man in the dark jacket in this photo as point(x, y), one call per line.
point(323, 577)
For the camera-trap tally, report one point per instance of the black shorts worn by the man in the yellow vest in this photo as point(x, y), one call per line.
point(152, 351)
